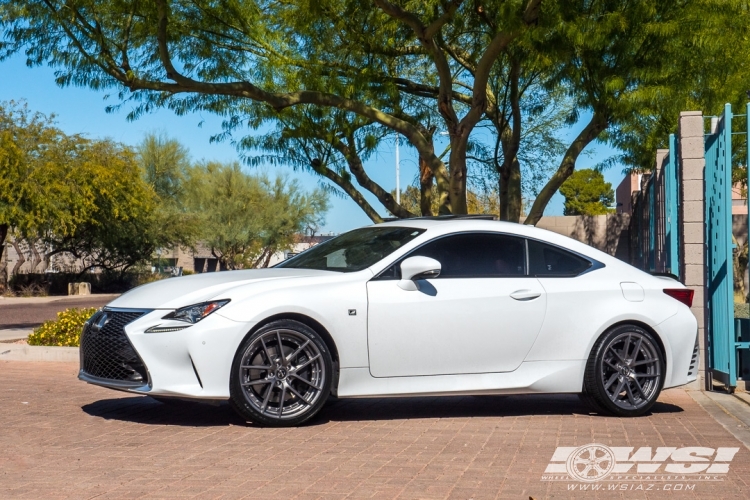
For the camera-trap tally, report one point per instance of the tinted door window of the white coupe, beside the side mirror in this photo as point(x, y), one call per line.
point(477, 255)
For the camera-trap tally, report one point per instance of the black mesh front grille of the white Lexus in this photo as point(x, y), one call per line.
point(106, 352)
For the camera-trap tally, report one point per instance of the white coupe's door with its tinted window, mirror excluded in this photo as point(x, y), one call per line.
point(481, 315)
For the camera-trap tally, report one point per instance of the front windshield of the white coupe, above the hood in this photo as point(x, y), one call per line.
point(355, 250)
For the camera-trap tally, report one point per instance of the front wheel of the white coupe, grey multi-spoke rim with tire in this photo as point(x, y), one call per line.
point(281, 375)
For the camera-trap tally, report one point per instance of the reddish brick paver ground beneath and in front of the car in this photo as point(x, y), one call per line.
point(60, 438)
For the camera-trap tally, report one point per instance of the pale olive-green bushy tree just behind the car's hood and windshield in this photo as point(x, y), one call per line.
point(245, 219)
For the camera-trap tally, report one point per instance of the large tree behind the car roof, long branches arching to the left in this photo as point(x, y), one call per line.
point(219, 57)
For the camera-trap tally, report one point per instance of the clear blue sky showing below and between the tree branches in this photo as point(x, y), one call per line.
point(81, 110)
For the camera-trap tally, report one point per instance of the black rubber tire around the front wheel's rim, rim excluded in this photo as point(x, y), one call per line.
point(237, 396)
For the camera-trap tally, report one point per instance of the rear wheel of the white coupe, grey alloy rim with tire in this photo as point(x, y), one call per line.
point(625, 372)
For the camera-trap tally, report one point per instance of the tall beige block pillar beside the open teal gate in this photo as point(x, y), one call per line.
point(692, 251)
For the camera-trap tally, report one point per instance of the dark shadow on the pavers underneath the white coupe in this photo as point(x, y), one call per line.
point(145, 410)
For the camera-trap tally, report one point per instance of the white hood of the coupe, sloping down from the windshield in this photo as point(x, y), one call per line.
point(172, 293)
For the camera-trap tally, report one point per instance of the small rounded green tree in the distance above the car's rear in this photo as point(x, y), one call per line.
point(586, 193)
